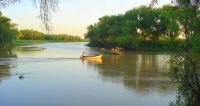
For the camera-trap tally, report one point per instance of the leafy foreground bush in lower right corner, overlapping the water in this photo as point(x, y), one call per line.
point(186, 73)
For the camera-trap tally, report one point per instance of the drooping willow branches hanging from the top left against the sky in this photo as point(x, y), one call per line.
point(47, 7)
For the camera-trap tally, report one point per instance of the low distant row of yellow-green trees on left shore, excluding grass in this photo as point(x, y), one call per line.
point(35, 35)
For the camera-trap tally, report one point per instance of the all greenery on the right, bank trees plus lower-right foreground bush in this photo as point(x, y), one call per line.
point(168, 29)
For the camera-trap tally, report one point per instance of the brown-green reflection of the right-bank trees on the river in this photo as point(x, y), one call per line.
point(141, 72)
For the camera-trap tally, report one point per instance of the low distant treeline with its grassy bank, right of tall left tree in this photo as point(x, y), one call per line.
point(29, 37)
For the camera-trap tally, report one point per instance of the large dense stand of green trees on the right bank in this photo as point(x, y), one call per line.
point(146, 27)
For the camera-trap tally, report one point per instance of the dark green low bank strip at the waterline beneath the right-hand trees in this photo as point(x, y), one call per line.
point(145, 46)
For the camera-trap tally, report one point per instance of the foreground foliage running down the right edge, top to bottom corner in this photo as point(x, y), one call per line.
point(185, 68)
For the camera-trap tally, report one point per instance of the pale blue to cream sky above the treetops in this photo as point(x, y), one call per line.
point(73, 16)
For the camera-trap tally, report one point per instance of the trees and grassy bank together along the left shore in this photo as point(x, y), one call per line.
point(11, 36)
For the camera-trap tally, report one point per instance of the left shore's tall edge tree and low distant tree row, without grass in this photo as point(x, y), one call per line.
point(9, 33)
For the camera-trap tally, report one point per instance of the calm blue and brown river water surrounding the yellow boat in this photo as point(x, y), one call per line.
point(53, 75)
